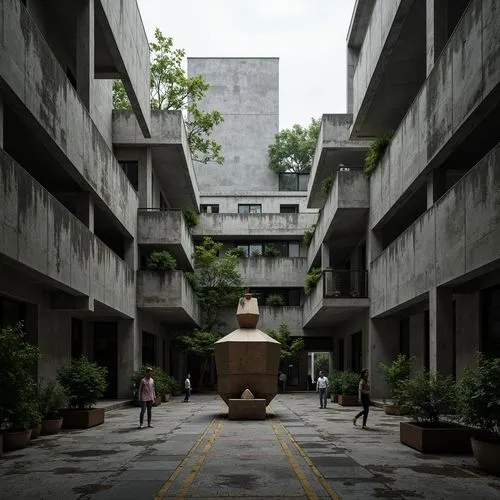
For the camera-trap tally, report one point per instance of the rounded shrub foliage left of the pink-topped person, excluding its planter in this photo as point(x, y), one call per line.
point(84, 383)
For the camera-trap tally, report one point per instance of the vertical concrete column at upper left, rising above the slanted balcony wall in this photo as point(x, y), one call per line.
point(85, 51)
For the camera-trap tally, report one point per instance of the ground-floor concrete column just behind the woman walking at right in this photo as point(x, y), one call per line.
point(384, 347)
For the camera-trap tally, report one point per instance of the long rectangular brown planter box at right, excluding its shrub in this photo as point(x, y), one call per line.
point(443, 438)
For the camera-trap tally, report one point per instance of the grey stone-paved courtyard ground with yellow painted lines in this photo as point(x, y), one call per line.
point(193, 451)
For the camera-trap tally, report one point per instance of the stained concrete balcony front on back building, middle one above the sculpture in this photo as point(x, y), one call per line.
point(273, 271)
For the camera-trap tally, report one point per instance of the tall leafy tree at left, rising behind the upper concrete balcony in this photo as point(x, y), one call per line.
point(171, 88)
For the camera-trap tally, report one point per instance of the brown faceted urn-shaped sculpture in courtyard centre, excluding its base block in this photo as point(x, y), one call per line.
point(247, 358)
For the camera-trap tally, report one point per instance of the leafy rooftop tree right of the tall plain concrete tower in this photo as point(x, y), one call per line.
point(293, 149)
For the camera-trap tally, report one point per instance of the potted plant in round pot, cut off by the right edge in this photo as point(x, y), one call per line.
point(479, 407)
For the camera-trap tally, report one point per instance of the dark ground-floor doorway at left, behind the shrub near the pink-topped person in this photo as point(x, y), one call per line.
point(106, 353)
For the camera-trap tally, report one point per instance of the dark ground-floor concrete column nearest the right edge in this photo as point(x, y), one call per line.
point(468, 332)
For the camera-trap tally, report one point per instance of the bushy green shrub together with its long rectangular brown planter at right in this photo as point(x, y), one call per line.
point(429, 397)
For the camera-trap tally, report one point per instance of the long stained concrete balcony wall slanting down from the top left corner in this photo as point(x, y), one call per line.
point(42, 95)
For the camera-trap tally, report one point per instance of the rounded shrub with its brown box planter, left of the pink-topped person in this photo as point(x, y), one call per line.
point(84, 383)
